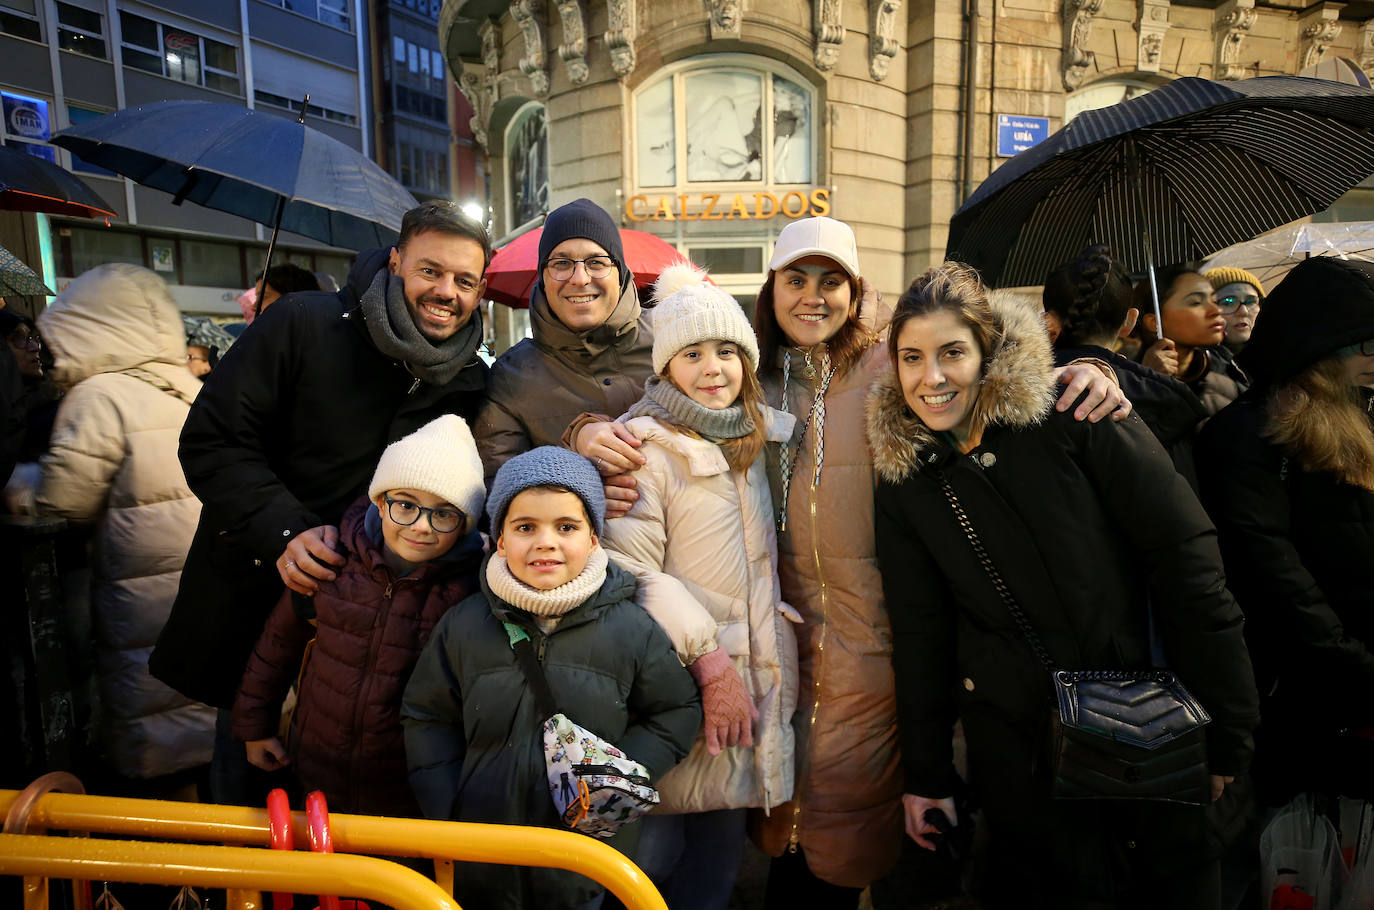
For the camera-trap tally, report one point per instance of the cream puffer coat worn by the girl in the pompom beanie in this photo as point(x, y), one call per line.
point(701, 542)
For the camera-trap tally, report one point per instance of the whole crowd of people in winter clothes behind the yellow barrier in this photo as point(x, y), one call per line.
point(807, 570)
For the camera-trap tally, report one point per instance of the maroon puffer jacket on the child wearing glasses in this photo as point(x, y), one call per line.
point(347, 732)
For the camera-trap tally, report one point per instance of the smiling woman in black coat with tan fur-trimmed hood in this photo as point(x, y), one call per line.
point(1086, 523)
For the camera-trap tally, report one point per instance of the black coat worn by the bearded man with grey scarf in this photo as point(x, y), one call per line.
point(284, 436)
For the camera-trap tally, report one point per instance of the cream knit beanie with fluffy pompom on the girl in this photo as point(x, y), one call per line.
point(689, 311)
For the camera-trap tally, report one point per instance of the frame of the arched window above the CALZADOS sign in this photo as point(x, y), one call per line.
point(678, 74)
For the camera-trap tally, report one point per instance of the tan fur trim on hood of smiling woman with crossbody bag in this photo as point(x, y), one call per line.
point(1017, 387)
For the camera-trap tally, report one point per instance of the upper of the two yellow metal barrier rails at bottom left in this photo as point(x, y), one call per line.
point(460, 842)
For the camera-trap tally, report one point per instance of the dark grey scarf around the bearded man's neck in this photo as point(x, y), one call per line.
point(394, 332)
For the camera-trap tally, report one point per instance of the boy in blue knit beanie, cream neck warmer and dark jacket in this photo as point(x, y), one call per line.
point(473, 732)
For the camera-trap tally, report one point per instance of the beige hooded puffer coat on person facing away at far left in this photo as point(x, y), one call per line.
point(120, 347)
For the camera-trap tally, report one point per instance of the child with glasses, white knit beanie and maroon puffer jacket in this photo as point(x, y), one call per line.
point(412, 552)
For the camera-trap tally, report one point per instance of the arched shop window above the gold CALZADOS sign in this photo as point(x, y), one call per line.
point(725, 120)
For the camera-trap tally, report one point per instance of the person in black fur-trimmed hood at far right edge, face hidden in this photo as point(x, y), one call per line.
point(1288, 474)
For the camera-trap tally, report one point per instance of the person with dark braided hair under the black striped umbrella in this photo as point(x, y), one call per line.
point(1089, 306)
